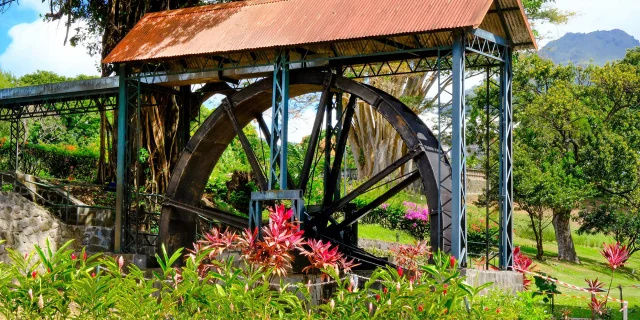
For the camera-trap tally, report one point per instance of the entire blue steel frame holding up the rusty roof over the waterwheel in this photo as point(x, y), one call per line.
point(484, 49)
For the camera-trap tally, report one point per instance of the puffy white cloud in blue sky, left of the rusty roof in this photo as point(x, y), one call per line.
point(40, 46)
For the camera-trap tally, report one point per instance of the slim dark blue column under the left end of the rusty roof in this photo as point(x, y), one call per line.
point(120, 157)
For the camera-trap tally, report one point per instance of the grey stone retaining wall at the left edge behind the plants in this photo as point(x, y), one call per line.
point(24, 224)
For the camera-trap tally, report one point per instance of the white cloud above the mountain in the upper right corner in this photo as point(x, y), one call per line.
point(594, 15)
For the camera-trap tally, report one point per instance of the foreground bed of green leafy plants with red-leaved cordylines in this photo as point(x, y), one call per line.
point(60, 284)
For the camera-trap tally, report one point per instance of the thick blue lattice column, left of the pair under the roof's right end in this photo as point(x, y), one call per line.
point(458, 153)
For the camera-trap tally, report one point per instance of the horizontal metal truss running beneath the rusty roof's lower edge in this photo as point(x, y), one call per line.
point(367, 58)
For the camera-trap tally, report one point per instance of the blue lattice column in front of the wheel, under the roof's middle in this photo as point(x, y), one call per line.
point(280, 122)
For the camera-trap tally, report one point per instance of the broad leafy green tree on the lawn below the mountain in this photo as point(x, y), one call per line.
point(582, 127)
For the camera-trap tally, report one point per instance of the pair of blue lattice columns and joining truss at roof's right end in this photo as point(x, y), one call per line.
point(486, 46)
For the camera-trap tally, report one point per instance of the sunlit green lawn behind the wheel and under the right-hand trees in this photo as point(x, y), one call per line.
point(588, 247)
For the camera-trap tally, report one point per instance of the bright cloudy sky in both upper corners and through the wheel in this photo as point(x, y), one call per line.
point(28, 44)
